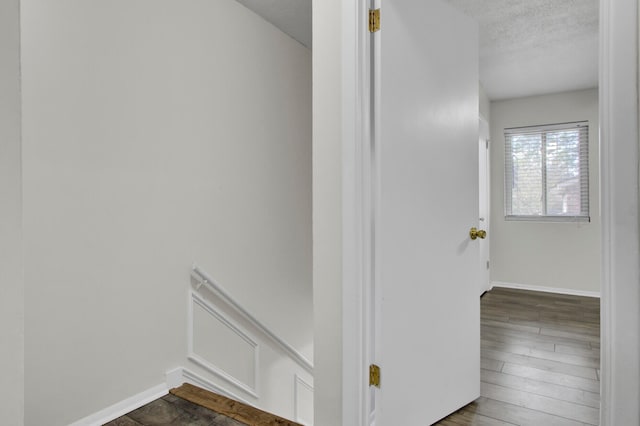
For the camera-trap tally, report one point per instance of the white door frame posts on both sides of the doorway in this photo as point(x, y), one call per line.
point(620, 373)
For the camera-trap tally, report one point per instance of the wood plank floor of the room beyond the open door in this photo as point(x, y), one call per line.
point(540, 361)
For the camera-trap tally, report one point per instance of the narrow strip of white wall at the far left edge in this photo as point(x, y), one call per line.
point(11, 279)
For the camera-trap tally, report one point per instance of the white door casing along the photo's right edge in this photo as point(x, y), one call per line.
point(620, 322)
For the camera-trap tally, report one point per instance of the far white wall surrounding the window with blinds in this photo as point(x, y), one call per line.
point(557, 255)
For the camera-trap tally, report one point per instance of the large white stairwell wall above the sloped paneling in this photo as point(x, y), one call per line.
point(156, 133)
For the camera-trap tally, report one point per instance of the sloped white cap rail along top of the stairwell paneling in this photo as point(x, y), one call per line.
point(202, 278)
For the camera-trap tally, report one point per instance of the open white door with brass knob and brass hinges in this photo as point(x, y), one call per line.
point(428, 334)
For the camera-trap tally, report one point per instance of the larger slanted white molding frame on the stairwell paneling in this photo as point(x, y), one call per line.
point(235, 328)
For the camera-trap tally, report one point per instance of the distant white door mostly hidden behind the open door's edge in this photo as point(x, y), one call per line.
point(484, 202)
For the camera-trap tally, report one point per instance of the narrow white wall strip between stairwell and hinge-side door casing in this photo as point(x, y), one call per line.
point(327, 212)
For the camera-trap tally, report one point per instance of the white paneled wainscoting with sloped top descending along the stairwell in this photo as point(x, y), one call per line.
point(241, 358)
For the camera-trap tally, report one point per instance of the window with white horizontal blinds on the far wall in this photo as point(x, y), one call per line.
point(547, 172)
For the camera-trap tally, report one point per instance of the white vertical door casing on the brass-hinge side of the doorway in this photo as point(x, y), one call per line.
point(356, 213)
